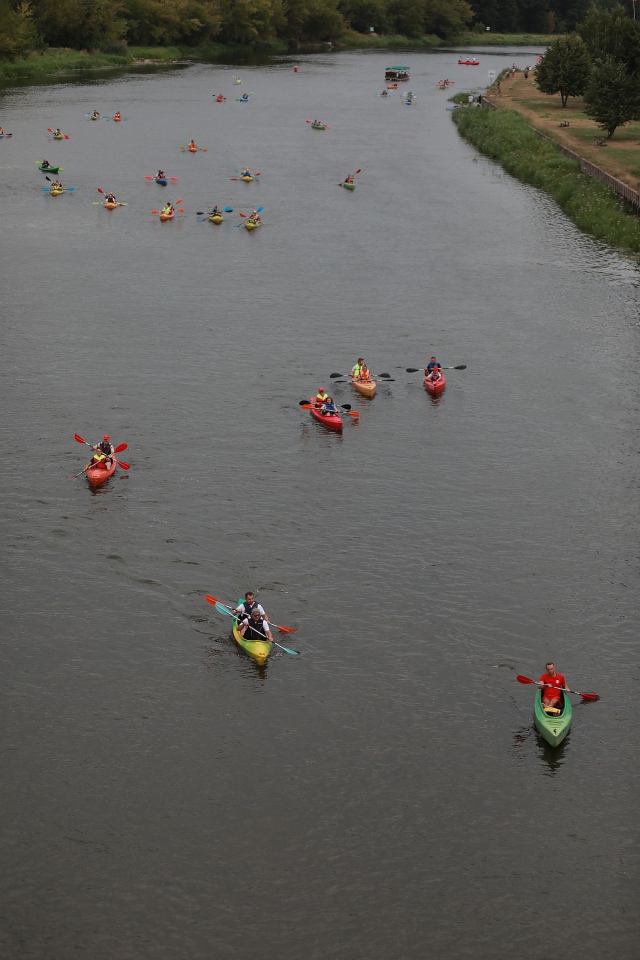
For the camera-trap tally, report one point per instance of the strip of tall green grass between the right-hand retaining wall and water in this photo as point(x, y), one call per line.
point(506, 137)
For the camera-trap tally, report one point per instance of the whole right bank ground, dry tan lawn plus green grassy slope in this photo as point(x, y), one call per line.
point(508, 136)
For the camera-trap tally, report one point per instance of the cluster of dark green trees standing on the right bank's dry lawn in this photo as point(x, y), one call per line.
point(600, 61)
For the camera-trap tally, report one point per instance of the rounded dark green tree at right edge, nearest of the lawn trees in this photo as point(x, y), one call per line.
point(612, 97)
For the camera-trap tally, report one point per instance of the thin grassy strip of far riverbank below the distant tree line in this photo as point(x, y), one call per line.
point(39, 65)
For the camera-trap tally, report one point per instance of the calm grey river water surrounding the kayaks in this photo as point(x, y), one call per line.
point(384, 795)
